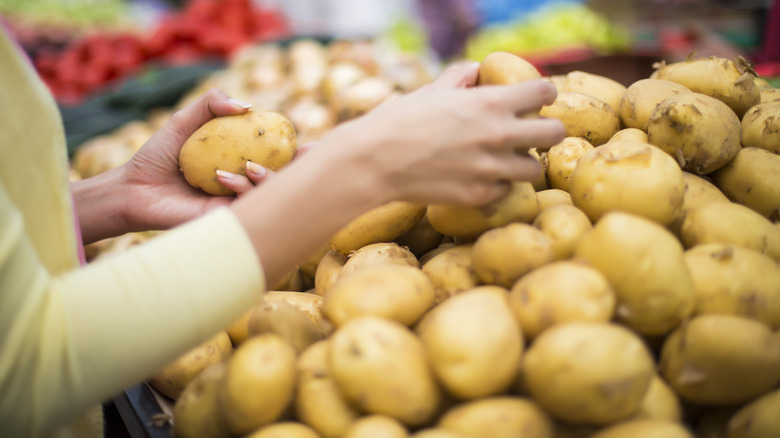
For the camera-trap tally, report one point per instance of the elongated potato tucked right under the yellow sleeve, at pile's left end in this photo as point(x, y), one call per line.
point(174, 377)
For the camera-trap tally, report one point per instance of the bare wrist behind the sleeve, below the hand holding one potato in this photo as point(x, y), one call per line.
point(100, 205)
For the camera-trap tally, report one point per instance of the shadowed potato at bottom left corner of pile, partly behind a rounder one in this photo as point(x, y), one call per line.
point(196, 413)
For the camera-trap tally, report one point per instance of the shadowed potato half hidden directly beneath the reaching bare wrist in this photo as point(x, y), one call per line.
point(380, 224)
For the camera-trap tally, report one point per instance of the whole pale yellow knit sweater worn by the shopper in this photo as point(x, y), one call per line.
point(71, 336)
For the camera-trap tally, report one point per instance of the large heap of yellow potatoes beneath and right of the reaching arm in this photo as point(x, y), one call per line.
point(632, 291)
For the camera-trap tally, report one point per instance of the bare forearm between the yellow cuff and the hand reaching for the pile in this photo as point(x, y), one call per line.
point(292, 215)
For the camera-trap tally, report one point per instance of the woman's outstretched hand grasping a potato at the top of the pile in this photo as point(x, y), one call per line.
point(448, 142)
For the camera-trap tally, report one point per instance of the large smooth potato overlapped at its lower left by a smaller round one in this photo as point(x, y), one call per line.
point(644, 264)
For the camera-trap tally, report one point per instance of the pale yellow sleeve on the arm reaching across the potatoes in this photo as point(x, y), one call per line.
point(69, 340)
